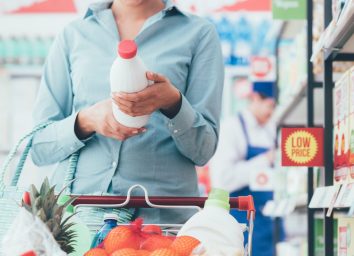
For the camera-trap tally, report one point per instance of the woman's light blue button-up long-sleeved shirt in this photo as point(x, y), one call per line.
point(183, 47)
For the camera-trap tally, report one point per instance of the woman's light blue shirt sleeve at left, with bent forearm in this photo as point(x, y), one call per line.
point(55, 103)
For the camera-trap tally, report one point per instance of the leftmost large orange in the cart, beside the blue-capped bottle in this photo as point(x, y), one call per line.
point(120, 238)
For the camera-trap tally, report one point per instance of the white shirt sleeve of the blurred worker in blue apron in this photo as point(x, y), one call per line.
point(228, 168)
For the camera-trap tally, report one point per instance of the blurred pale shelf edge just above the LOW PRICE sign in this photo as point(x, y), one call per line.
point(283, 111)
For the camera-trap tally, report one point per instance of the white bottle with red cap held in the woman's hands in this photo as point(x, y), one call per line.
point(128, 74)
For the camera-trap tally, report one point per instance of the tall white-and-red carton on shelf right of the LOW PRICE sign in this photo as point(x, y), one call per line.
point(341, 130)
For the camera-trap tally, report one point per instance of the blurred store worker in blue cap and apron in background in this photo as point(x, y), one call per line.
point(244, 158)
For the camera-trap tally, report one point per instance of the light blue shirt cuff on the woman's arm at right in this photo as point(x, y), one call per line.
point(184, 119)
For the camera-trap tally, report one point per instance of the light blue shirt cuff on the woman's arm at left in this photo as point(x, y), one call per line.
point(67, 137)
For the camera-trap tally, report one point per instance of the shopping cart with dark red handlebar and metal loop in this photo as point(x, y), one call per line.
point(242, 203)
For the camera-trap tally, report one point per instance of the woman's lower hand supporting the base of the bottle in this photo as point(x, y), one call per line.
point(99, 118)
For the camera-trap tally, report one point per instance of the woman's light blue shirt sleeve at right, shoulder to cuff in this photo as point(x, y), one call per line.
point(195, 128)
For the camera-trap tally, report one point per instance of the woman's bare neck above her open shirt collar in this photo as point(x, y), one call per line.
point(124, 11)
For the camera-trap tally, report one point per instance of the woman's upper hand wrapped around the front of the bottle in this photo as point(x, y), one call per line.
point(161, 95)
